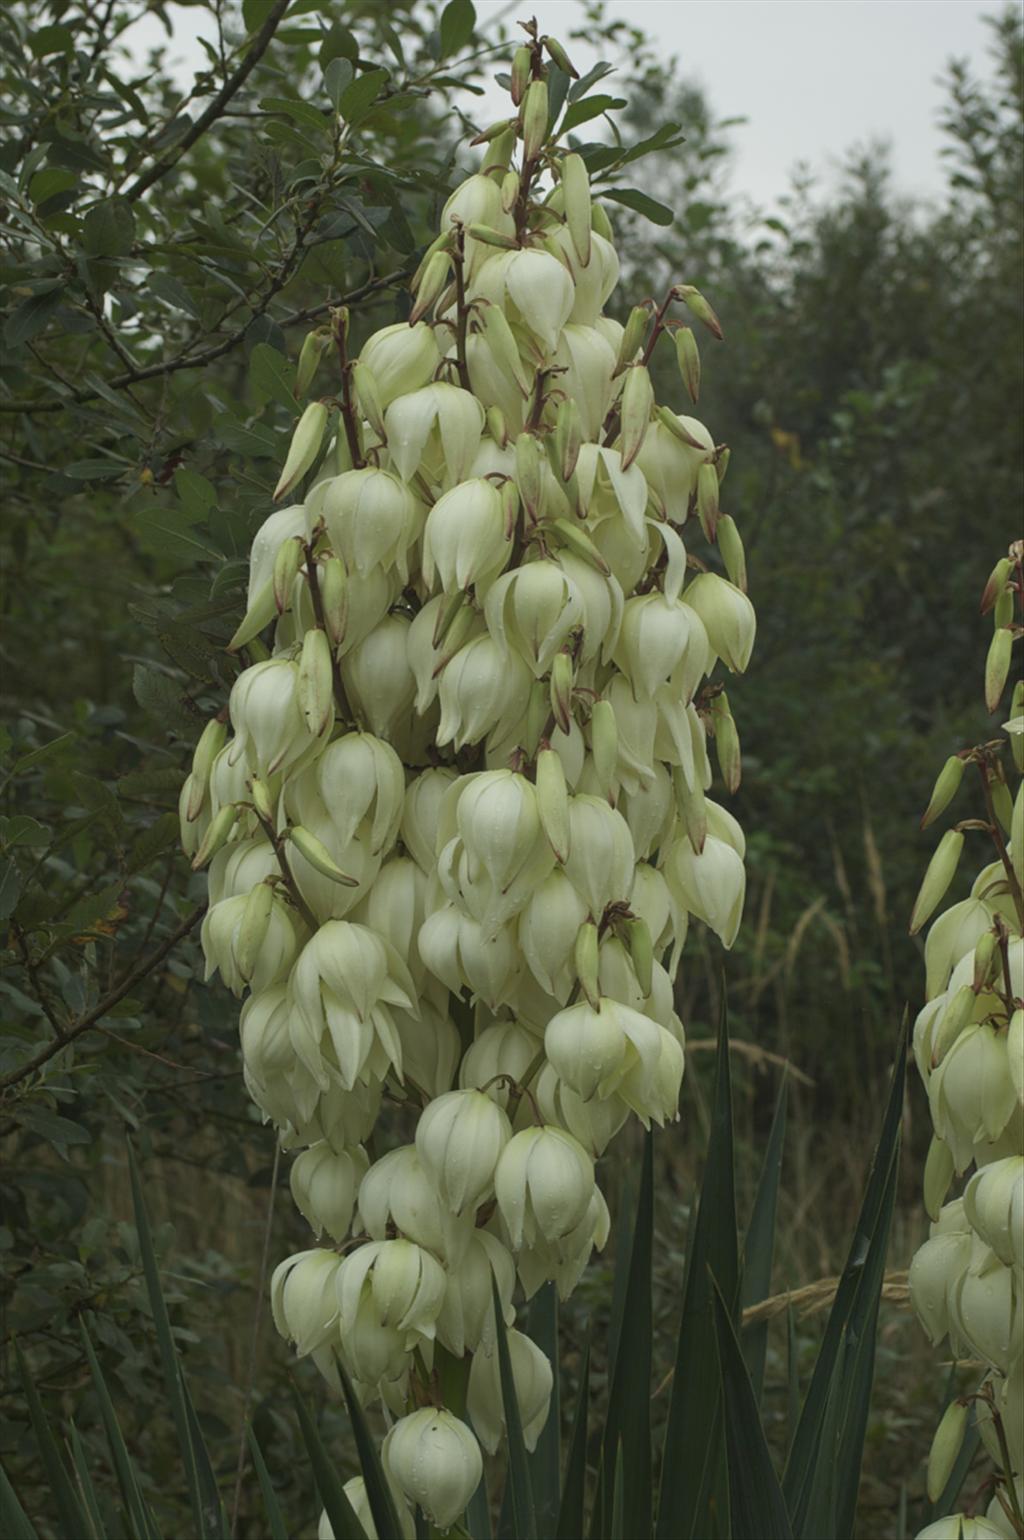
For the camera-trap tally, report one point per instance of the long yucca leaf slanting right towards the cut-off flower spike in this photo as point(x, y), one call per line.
point(851, 1319)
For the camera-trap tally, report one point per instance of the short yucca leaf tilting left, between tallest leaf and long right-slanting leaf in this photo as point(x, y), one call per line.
point(755, 1498)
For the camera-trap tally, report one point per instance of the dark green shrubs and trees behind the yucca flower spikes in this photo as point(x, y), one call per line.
point(161, 261)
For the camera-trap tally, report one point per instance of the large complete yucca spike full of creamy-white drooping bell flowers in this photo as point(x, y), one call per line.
point(464, 815)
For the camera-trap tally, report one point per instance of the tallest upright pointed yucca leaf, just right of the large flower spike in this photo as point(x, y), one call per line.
point(694, 1475)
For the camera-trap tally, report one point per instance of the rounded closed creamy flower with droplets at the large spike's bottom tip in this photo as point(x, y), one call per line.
point(435, 1461)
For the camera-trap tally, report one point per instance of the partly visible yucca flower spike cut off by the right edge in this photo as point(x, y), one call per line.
point(968, 1281)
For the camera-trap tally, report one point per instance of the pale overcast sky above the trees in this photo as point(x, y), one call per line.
point(814, 78)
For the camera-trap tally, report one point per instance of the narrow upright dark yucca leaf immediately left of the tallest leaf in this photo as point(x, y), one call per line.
point(629, 1427)
